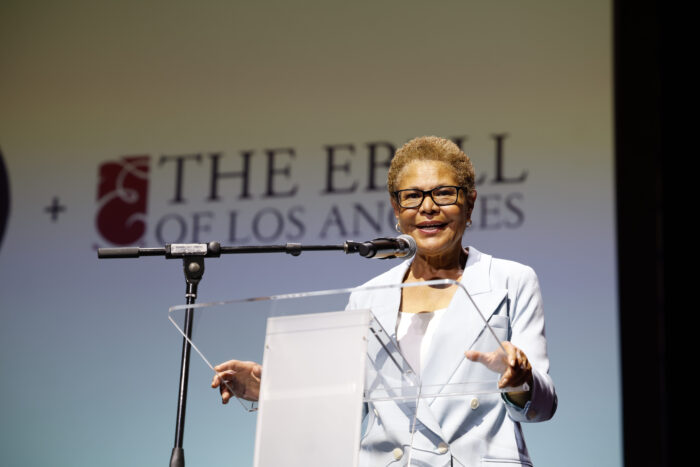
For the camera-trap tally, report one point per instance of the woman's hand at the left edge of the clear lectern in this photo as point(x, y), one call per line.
point(237, 378)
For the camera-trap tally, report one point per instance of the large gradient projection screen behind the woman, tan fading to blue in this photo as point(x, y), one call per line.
point(89, 361)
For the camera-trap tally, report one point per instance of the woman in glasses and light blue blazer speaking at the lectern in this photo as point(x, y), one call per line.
point(431, 184)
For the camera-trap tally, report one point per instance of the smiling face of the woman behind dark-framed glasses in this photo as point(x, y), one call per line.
point(437, 229)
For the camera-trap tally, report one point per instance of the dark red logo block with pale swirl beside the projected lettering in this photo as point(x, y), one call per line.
point(122, 195)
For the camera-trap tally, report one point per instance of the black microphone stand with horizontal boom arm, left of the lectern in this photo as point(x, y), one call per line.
point(192, 255)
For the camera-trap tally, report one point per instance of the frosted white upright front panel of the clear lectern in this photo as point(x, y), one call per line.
point(312, 390)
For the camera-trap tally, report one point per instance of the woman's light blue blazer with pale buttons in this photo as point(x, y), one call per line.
point(477, 430)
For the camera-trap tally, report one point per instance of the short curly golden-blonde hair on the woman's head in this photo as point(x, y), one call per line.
point(432, 148)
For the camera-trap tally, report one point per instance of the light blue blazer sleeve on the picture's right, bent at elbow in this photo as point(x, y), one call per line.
point(528, 334)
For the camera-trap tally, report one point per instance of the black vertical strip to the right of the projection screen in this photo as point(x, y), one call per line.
point(654, 153)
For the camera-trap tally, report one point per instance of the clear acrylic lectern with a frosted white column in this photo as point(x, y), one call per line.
point(330, 357)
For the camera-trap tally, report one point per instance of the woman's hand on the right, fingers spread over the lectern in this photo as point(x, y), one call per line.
point(513, 366)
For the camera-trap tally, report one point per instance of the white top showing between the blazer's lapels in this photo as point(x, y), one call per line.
point(414, 332)
